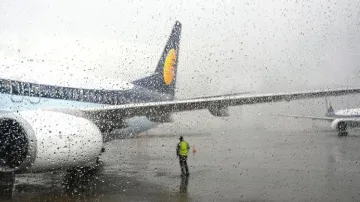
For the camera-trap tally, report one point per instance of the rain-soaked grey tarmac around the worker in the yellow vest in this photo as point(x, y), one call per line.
point(300, 167)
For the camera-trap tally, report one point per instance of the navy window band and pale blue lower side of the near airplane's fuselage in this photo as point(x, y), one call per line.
point(16, 95)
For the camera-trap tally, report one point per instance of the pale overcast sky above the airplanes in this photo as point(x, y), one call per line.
point(226, 46)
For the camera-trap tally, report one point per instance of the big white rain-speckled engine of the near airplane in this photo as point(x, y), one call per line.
point(32, 141)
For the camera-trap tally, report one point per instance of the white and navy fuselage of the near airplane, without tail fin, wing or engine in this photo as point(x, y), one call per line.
point(21, 77)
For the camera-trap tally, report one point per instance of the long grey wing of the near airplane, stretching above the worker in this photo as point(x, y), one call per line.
point(216, 105)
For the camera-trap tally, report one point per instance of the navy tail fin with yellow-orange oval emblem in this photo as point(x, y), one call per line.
point(163, 79)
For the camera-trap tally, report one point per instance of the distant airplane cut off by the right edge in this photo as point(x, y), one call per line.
point(340, 120)
